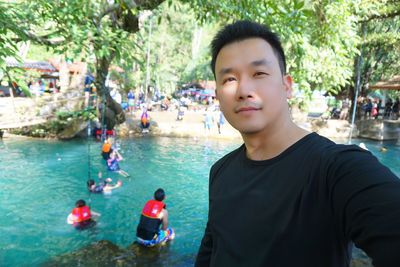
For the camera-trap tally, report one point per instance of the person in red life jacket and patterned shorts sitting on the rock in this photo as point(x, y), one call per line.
point(154, 215)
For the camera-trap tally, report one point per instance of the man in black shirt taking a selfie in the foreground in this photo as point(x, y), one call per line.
point(288, 197)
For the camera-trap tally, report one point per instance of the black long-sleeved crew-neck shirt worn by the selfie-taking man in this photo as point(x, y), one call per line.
point(302, 208)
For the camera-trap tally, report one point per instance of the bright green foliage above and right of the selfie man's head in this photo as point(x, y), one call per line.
point(319, 37)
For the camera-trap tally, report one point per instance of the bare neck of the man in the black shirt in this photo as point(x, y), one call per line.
point(270, 143)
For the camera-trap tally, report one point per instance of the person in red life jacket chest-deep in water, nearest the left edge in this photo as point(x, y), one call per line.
point(81, 216)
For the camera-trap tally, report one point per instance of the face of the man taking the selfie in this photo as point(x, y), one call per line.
point(250, 87)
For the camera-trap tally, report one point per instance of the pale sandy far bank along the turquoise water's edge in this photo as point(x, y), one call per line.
point(164, 123)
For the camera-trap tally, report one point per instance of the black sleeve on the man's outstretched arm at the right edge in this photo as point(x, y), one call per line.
point(365, 199)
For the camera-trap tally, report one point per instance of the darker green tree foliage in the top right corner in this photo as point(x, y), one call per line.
point(379, 28)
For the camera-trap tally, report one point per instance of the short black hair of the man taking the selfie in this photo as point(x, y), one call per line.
point(242, 30)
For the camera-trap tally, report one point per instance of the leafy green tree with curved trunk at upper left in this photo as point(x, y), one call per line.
point(100, 28)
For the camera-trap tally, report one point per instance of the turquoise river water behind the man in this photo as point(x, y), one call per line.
point(41, 180)
